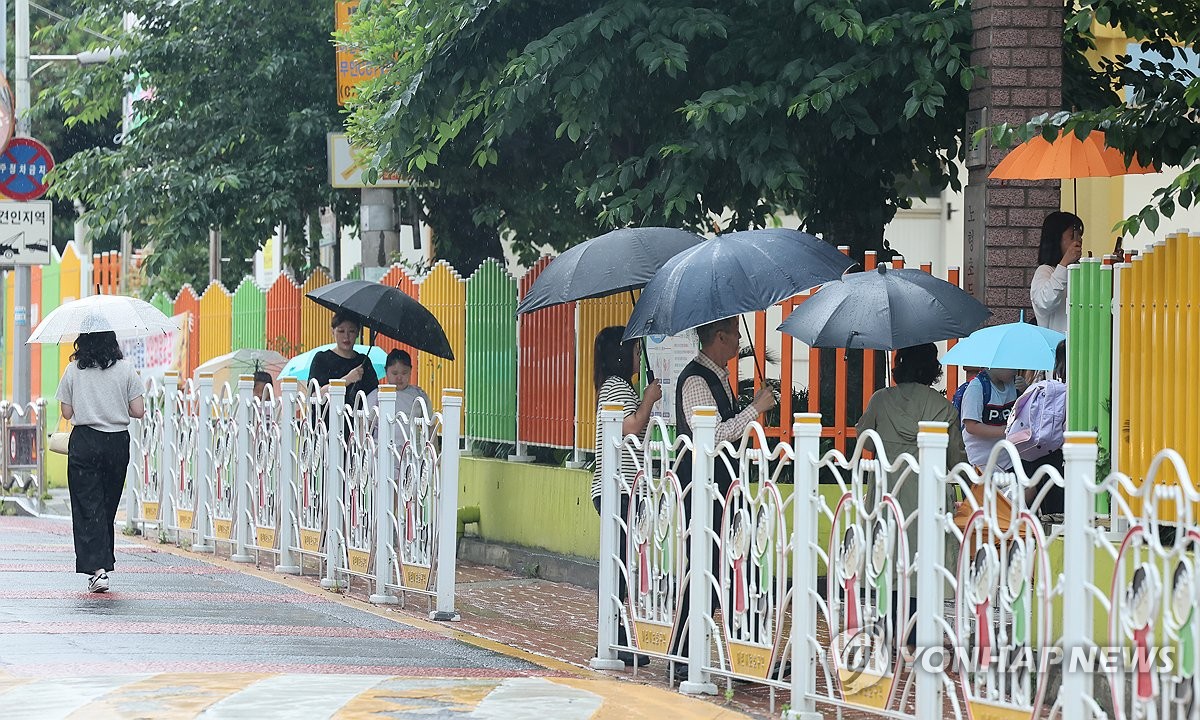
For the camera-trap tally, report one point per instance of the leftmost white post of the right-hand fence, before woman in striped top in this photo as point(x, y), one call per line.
point(611, 417)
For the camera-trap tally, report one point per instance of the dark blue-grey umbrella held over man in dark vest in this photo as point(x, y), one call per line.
point(730, 275)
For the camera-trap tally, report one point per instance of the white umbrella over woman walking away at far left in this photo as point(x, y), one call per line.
point(129, 317)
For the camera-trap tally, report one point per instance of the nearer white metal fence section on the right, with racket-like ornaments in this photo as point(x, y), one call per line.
point(928, 591)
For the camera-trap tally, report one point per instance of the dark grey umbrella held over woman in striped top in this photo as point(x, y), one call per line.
point(617, 262)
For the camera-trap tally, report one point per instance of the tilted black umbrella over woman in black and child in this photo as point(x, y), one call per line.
point(387, 311)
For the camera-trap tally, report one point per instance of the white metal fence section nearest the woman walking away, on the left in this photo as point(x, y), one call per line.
point(361, 491)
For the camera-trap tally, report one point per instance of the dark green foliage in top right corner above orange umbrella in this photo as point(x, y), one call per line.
point(1161, 123)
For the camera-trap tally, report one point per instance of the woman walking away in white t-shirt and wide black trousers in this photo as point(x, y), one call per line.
point(99, 394)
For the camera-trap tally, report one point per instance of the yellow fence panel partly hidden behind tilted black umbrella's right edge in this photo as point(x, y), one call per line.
point(445, 295)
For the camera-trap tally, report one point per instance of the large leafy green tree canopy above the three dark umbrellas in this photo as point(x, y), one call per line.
point(553, 119)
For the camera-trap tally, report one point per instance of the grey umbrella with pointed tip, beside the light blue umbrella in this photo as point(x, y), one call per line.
point(885, 310)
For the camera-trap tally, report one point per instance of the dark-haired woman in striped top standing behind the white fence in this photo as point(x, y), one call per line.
point(614, 373)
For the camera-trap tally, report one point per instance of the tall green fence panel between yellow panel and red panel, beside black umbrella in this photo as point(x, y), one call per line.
point(491, 355)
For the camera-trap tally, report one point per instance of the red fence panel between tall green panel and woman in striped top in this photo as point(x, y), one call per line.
point(547, 371)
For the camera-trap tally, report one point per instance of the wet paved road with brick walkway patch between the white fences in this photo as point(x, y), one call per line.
point(183, 635)
